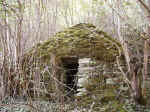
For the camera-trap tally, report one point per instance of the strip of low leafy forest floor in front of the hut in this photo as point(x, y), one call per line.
point(44, 106)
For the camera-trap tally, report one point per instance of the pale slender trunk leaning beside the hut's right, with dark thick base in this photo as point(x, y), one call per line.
point(134, 67)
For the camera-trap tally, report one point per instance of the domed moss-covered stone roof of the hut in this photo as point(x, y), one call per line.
point(81, 40)
